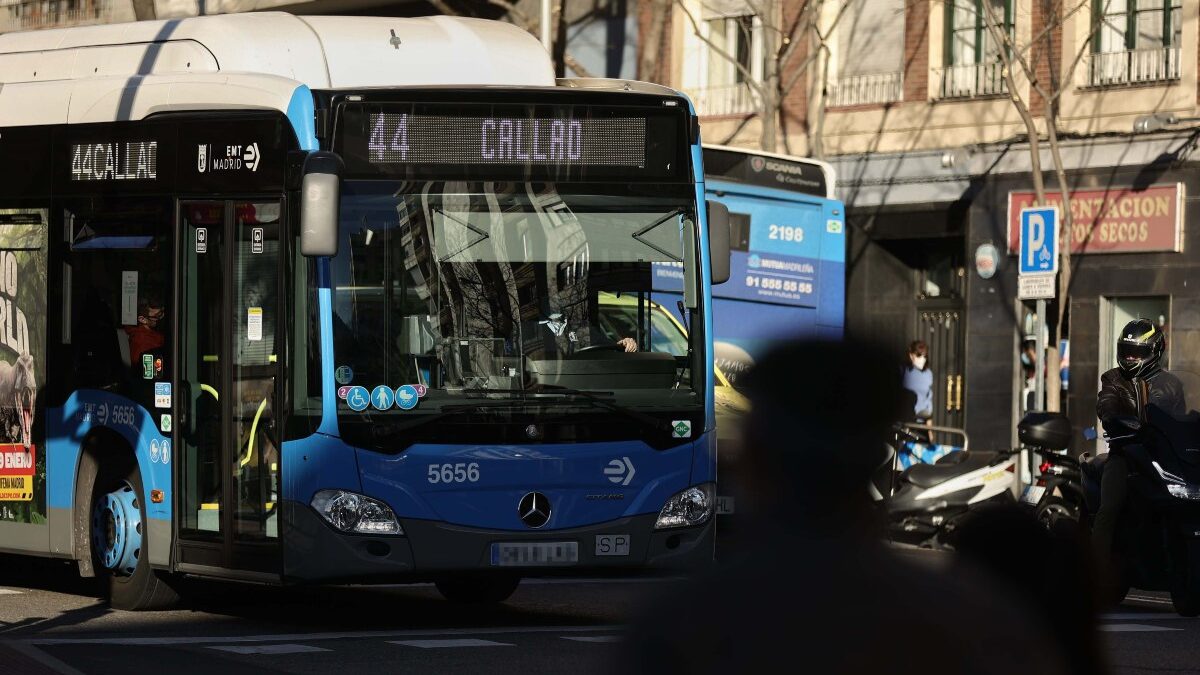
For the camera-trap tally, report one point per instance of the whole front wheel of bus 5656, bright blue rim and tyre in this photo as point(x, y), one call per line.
point(119, 542)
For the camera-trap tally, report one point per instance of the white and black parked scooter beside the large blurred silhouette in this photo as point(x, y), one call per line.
point(926, 503)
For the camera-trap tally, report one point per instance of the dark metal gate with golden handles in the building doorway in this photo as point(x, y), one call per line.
point(943, 331)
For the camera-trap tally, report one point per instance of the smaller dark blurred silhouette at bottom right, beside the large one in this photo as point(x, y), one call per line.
point(1051, 570)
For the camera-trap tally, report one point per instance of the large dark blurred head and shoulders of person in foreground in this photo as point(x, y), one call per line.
point(815, 589)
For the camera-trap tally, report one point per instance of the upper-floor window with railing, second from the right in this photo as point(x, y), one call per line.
point(971, 55)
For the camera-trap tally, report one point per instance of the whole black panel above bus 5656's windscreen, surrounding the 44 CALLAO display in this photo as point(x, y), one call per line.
point(513, 140)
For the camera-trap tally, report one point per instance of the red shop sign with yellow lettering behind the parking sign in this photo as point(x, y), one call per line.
point(1113, 222)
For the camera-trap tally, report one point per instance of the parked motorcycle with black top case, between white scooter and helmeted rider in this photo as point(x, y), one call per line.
point(1057, 494)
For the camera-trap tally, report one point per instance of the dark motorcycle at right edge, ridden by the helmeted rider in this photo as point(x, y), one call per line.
point(1157, 537)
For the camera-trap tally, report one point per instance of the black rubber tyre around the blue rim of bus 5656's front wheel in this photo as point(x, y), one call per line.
point(145, 589)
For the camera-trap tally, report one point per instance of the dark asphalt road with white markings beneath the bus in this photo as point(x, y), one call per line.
point(51, 622)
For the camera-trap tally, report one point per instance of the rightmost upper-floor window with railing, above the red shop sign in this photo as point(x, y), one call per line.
point(1136, 43)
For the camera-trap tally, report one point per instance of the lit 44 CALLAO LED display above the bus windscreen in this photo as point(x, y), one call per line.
point(412, 139)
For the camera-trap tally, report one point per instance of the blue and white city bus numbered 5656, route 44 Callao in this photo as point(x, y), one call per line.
point(313, 300)
